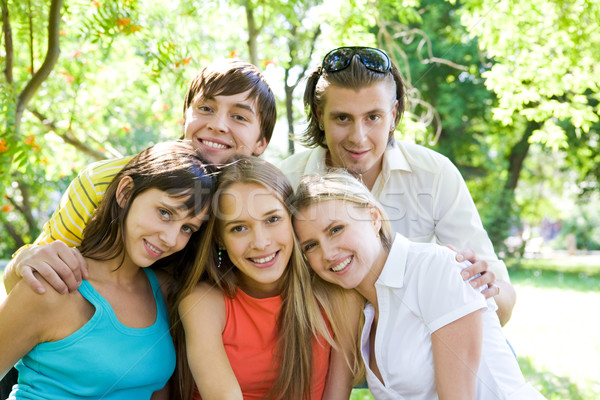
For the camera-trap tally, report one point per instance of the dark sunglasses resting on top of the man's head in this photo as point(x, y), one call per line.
point(340, 58)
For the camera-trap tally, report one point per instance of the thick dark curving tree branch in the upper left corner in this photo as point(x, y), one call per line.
point(47, 66)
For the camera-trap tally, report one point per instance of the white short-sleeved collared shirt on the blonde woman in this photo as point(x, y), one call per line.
point(420, 290)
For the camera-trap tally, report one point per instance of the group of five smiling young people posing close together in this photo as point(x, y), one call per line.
point(196, 270)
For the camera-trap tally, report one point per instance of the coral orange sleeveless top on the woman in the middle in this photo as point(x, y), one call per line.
point(250, 339)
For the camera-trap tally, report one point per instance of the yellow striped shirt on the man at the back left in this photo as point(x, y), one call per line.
point(78, 203)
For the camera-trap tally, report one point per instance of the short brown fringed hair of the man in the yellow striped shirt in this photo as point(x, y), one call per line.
point(233, 78)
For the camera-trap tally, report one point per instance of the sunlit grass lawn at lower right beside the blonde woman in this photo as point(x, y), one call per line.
point(555, 327)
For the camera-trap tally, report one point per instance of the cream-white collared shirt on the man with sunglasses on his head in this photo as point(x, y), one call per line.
point(424, 195)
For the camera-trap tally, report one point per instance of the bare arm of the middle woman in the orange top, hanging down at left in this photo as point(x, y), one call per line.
point(203, 316)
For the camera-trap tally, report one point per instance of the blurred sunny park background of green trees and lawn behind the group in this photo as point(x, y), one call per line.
point(508, 90)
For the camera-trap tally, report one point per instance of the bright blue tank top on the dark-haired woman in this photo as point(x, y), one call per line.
point(103, 359)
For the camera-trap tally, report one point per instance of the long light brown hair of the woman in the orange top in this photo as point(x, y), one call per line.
point(300, 318)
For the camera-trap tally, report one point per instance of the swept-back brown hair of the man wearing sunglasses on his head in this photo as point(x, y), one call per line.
point(356, 76)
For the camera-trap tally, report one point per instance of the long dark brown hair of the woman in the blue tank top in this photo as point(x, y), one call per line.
point(174, 167)
